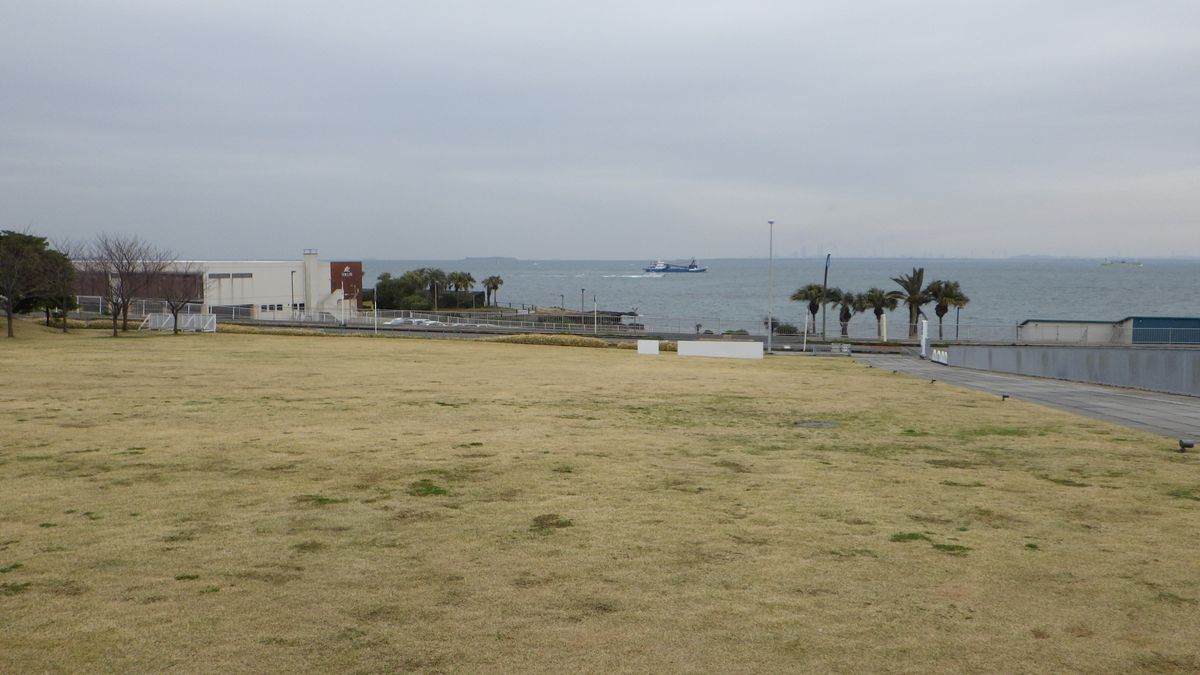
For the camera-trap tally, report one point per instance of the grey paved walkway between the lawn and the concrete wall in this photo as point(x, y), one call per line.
point(1169, 415)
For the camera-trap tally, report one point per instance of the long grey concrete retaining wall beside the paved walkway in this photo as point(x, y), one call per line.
point(1175, 372)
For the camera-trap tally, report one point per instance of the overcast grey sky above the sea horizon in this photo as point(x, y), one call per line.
point(605, 130)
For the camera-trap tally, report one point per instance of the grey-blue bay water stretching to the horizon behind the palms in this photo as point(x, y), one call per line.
point(734, 292)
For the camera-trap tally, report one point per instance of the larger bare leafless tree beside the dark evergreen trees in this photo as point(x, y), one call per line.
point(127, 267)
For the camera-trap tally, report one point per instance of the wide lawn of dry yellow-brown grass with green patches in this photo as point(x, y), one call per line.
point(265, 504)
